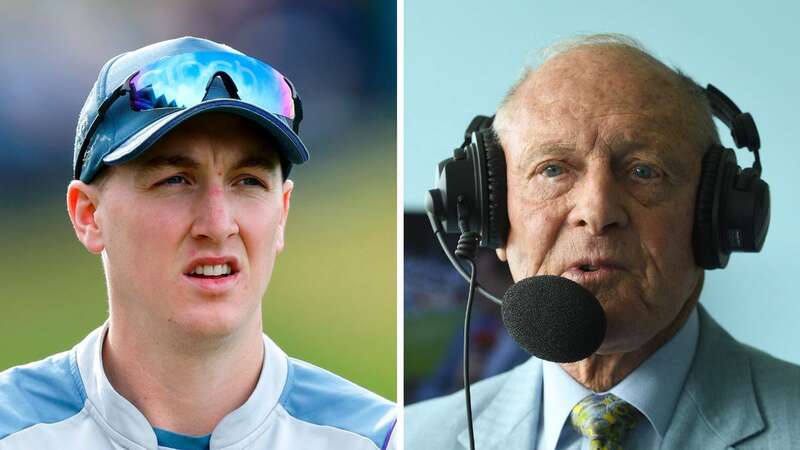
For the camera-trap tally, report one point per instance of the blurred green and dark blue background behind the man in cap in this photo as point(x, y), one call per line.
point(332, 299)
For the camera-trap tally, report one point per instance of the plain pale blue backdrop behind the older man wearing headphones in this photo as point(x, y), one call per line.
point(462, 56)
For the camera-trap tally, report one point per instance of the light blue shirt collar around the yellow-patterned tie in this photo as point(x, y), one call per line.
point(653, 388)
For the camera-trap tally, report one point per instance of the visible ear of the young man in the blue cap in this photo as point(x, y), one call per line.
point(82, 202)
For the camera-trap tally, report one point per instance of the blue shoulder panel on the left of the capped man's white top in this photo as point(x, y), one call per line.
point(46, 391)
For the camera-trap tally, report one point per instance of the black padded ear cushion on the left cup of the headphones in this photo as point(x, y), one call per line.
point(496, 184)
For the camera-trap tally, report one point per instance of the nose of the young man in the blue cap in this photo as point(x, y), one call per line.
point(214, 218)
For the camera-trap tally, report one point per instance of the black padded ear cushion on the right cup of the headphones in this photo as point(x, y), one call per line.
point(705, 238)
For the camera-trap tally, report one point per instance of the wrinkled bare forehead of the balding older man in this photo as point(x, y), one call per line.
point(593, 94)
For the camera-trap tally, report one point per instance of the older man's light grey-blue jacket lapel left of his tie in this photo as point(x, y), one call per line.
point(511, 418)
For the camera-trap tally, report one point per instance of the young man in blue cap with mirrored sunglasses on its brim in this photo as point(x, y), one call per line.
point(181, 162)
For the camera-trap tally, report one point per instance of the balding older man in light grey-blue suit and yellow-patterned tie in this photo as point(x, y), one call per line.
point(604, 146)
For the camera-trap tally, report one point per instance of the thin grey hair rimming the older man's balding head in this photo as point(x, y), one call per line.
point(696, 93)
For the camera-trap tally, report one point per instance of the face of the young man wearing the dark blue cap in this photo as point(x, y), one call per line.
point(190, 230)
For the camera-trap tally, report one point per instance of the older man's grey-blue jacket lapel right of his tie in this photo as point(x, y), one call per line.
point(718, 406)
